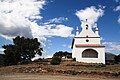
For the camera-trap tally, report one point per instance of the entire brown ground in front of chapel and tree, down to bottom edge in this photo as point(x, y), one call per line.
point(59, 72)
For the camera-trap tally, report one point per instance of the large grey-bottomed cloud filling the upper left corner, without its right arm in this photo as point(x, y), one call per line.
point(16, 16)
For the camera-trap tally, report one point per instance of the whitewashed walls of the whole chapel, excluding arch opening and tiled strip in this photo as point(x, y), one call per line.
point(94, 38)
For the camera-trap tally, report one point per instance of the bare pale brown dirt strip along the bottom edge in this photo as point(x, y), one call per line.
point(21, 76)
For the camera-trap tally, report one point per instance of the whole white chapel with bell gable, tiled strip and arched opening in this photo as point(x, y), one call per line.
point(86, 45)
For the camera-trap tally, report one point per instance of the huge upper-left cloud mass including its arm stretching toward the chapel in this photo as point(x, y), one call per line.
point(18, 17)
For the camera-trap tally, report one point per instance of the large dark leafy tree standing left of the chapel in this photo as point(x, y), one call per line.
point(22, 49)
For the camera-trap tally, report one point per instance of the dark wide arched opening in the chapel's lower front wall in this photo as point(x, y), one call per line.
point(89, 53)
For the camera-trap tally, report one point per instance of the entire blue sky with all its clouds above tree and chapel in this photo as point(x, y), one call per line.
point(54, 22)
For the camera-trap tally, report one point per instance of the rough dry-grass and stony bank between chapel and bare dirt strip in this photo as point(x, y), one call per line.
point(63, 68)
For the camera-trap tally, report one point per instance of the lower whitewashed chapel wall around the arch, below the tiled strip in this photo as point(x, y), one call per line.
point(77, 53)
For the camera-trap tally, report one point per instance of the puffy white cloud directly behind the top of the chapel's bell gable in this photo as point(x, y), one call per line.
point(91, 14)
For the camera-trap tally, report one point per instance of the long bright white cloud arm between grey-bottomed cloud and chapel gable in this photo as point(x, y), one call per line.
point(51, 30)
